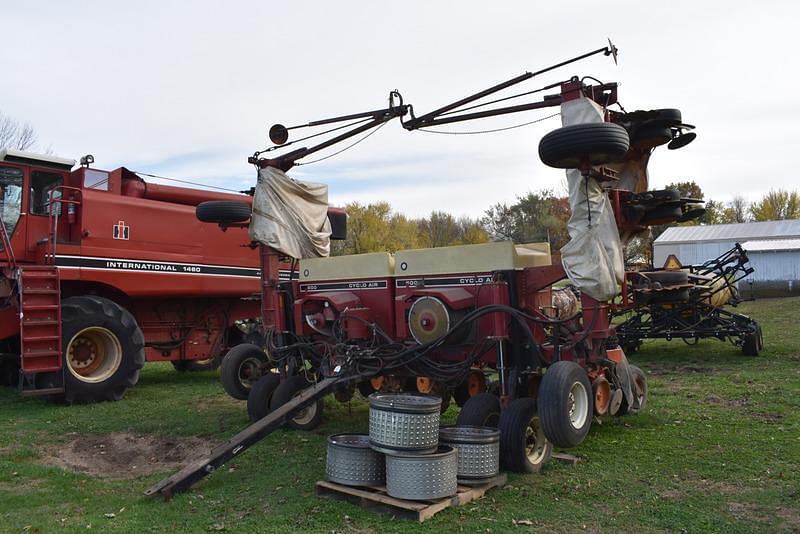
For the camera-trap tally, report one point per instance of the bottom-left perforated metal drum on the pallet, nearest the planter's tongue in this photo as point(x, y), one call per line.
point(352, 462)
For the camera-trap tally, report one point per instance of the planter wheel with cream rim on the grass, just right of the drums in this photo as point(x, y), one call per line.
point(523, 445)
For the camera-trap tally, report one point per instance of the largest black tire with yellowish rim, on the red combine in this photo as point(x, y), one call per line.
point(103, 349)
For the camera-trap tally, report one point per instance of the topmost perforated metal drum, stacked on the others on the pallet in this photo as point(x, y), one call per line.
point(404, 423)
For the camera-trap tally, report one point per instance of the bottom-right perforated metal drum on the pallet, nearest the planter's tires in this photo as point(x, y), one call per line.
point(478, 451)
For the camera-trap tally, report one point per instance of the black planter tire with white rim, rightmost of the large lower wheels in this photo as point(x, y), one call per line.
point(566, 404)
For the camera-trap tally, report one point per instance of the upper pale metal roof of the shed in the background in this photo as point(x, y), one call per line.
point(731, 232)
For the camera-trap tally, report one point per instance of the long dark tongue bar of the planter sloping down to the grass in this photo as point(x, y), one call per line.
point(193, 472)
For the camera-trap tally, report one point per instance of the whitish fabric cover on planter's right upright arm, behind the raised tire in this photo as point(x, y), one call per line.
point(593, 257)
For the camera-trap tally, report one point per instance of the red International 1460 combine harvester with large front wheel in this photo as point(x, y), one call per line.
point(101, 271)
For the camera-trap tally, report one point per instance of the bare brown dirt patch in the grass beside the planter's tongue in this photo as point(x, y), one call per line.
point(121, 455)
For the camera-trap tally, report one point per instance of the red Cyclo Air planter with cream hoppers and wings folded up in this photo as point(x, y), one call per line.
point(444, 320)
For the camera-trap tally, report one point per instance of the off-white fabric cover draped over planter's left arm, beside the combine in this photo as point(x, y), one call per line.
point(291, 216)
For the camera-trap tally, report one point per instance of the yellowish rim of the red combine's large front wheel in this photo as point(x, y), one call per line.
point(94, 354)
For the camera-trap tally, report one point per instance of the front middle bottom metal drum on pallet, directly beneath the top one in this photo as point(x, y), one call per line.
point(422, 477)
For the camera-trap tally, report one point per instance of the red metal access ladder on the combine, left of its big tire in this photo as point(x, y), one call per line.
point(40, 324)
